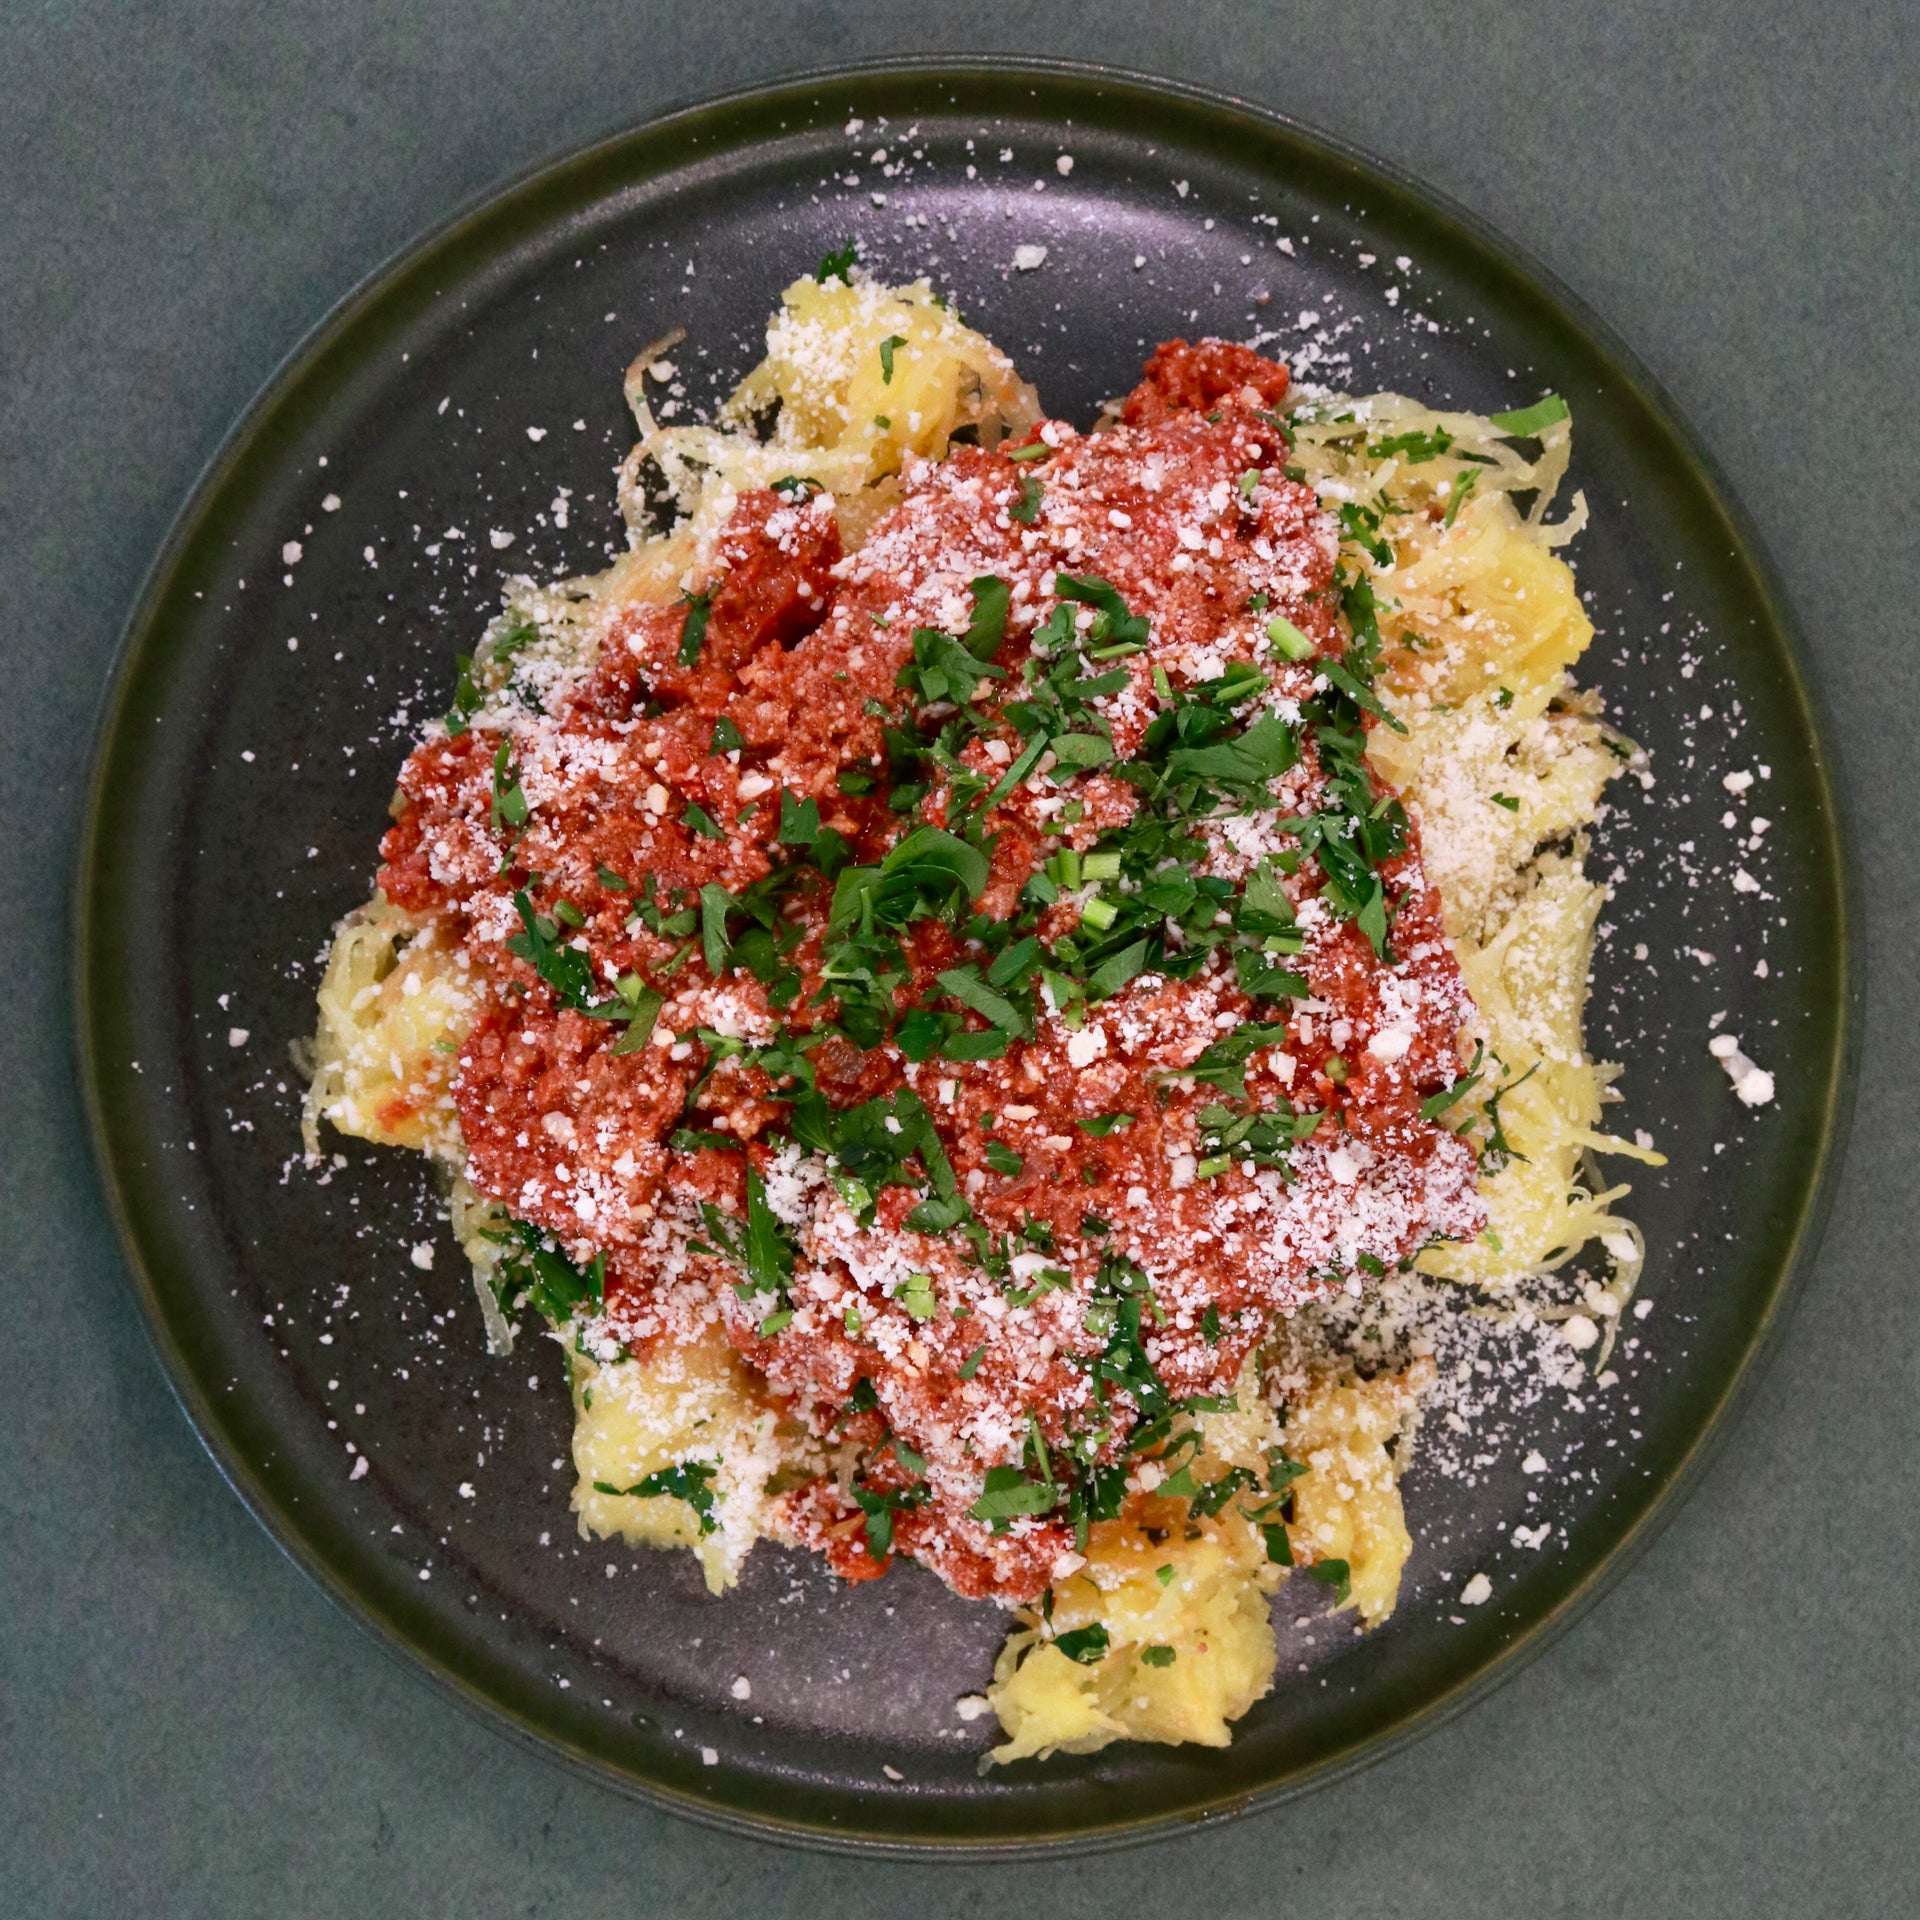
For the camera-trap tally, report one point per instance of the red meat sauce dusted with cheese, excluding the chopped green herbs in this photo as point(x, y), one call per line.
point(800, 660)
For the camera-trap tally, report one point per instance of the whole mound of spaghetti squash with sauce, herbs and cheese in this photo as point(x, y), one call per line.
point(936, 959)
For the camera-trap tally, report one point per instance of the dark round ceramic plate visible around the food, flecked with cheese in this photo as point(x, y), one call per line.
point(262, 708)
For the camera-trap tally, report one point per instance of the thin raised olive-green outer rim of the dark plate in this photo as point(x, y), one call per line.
point(1794, 1264)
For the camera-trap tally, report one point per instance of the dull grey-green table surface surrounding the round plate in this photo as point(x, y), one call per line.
point(187, 1727)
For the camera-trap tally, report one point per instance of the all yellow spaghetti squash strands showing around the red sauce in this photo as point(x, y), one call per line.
point(1504, 765)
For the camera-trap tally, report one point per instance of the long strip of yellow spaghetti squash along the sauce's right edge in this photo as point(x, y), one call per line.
point(1504, 765)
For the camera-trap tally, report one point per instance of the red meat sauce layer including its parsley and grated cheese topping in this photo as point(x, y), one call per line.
point(976, 971)
